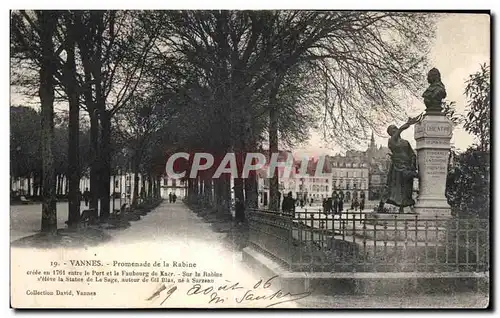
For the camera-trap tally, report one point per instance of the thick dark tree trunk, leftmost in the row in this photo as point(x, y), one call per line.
point(48, 22)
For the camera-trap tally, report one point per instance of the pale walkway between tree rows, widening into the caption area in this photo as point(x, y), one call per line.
point(171, 234)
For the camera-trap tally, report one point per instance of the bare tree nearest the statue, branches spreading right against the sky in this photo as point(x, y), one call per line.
point(364, 60)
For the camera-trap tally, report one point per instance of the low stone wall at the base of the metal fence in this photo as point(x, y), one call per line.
point(365, 283)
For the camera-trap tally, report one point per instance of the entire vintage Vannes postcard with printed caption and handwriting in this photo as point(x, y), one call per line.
point(249, 159)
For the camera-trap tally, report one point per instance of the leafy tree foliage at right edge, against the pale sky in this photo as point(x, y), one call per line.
point(478, 117)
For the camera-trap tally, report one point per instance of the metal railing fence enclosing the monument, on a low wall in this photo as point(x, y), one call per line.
point(368, 242)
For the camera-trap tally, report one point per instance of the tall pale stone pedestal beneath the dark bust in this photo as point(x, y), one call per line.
point(433, 135)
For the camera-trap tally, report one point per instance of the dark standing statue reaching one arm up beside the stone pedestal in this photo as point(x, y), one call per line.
point(403, 169)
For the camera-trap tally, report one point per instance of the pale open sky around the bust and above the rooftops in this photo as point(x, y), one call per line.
point(461, 44)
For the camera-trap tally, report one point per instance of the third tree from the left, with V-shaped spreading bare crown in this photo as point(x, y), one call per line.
point(114, 56)
